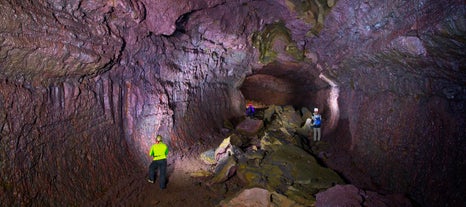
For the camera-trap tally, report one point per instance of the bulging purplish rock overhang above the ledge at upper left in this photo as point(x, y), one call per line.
point(55, 39)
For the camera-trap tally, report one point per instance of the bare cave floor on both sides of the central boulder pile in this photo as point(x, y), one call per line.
point(184, 188)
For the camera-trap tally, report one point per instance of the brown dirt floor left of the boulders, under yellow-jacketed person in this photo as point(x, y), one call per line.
point(186, 186)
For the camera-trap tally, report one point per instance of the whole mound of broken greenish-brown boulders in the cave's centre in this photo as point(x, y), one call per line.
point(276, 164)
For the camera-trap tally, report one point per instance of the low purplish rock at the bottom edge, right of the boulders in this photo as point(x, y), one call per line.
point(349, 195)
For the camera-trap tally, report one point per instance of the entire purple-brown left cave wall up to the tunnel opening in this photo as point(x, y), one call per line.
point(86, 87)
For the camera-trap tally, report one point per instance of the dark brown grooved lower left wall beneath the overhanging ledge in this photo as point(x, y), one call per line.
point(61, 145)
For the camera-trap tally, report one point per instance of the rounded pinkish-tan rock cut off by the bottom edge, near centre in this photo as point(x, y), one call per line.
point(259, 197)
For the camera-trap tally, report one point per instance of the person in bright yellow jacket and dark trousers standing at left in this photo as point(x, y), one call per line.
point(159, 152)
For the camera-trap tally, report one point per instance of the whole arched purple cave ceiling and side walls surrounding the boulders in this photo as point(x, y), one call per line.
point(113, 73)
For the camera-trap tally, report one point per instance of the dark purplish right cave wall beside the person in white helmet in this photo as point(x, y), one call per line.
point(400, 71)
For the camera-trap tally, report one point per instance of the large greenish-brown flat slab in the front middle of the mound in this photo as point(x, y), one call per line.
point(290, 170)
